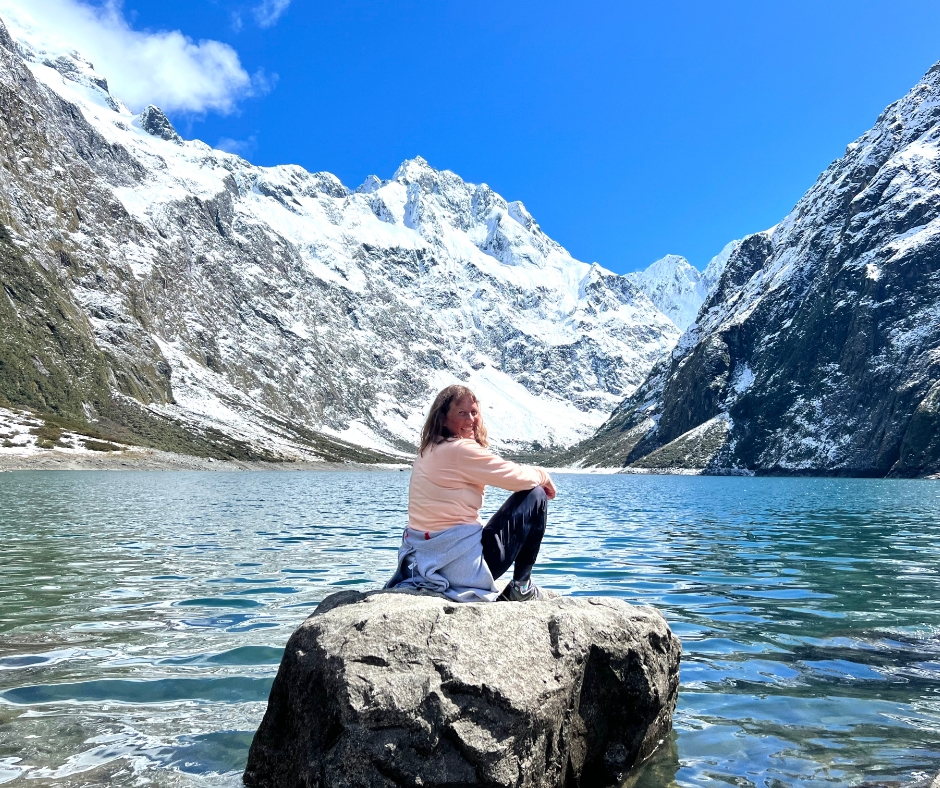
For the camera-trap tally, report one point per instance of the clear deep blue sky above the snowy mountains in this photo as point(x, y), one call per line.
point(629, 130)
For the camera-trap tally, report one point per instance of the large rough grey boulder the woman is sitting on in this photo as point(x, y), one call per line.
point(399, 689)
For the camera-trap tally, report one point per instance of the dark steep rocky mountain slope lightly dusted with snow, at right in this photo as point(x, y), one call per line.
point(819, 349)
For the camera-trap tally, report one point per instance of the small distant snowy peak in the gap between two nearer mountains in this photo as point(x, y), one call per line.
point(677, 288)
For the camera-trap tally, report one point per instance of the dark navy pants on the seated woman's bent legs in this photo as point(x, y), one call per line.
point(514, 534)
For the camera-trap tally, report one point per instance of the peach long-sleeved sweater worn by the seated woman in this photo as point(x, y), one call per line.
point(447, 483)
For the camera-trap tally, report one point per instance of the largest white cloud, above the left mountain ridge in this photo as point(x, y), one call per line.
point(162, 67)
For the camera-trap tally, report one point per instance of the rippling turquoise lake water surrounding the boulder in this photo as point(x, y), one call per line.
point(143, 615)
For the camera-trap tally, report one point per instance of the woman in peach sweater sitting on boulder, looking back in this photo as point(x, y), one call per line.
point(446, 548)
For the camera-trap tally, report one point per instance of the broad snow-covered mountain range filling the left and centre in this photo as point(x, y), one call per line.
point(276, 309)
